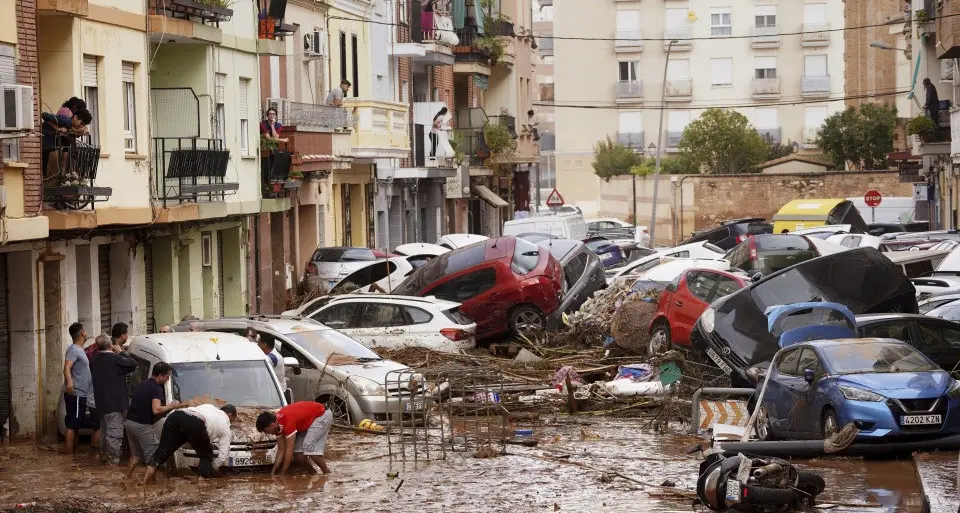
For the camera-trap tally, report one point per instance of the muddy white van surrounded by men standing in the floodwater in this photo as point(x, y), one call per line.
point(215, 367)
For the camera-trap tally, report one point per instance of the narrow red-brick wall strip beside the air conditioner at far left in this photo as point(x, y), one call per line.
point(28, 73)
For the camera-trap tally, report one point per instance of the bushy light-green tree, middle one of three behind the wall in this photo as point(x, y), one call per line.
point(722, 141)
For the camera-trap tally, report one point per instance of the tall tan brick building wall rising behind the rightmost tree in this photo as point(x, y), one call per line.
point(870, 72)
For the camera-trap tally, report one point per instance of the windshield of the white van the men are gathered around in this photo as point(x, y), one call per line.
point(240, 383)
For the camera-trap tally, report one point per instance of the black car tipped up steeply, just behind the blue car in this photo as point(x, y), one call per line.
point(734, 331)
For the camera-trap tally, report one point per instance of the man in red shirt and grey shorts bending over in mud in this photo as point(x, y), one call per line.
point(301, 427)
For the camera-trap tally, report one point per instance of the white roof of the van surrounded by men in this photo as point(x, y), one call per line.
point(205, 346)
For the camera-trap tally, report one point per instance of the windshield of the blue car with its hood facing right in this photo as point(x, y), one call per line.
point(876, 357)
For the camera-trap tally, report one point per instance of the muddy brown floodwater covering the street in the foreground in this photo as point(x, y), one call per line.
point(525, 480)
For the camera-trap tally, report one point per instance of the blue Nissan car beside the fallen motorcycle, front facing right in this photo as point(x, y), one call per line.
point(885, 387)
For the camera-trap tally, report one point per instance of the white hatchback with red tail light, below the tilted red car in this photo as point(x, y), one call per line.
point(389, 321)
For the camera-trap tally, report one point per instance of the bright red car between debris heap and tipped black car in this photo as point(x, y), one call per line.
point(682, 302)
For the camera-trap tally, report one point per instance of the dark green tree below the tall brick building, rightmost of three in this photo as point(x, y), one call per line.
point(858, 139)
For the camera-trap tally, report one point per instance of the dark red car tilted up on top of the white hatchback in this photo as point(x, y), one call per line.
point(504, 284)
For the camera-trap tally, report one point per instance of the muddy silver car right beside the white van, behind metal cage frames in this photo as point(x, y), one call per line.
point(333, 369)
